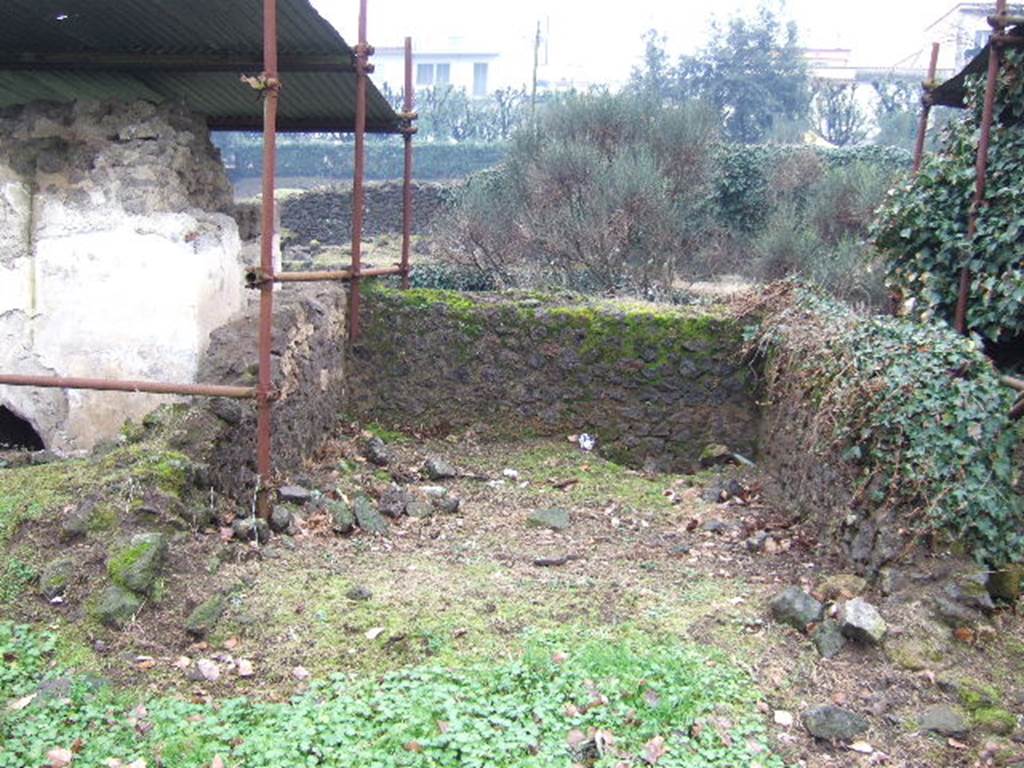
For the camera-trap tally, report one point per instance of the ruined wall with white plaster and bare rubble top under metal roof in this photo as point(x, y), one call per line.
point(117, 258)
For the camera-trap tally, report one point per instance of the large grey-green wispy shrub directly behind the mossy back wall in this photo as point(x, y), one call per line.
point(608, 192)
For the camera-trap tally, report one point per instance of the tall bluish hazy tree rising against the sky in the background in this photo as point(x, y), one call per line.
point(753, 73)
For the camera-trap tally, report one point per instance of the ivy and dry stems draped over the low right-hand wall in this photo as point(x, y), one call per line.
point(917, 409)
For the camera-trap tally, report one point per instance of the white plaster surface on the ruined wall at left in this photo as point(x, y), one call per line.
point(91, 290)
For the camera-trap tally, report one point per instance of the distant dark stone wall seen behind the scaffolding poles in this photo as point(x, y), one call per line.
point(326, 216)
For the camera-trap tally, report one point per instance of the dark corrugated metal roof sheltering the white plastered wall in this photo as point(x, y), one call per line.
point(184, 51)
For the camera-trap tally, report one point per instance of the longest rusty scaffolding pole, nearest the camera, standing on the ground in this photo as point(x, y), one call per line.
point(266, 387)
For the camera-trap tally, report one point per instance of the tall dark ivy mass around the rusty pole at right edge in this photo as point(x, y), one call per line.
point(922, 227)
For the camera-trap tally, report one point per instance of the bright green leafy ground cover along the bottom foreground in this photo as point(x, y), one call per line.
point(494, 715)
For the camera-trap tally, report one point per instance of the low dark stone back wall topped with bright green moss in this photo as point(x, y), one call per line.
point(654, 385)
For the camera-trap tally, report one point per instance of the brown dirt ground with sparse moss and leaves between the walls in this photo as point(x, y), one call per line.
point(643, 556)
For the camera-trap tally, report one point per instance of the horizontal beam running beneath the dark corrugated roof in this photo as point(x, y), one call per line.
point(98, 62)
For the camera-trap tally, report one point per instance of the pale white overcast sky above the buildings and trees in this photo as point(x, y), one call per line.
point(604, 39)
